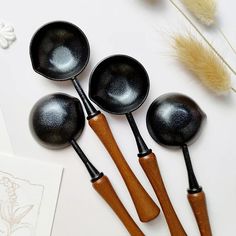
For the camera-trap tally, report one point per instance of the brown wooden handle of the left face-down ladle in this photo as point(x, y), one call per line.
point(105, 189)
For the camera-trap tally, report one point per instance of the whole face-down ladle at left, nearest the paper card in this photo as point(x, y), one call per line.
point(56, 121)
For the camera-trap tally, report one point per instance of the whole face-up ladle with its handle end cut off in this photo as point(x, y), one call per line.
point(119, 85)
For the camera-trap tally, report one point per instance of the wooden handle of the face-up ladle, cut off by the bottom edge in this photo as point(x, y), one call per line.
point(151, 169)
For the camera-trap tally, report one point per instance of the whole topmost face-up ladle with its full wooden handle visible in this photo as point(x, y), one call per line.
point(60, 51)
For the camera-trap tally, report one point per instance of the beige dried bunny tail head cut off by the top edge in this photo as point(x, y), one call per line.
point(204, 10)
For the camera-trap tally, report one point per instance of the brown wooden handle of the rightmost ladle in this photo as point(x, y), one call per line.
point(199, 207)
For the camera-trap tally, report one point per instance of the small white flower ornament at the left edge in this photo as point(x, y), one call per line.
point(7, 35)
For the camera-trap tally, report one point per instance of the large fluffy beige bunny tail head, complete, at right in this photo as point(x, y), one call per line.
point(203, 63)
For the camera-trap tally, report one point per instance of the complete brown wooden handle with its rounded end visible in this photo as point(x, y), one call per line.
point(145, 206)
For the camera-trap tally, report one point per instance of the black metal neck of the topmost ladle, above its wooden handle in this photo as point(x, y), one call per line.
point(90, 109)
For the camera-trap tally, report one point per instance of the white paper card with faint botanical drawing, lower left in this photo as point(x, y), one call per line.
point(28, 196)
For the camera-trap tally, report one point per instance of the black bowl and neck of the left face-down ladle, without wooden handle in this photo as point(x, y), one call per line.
point(56, 121)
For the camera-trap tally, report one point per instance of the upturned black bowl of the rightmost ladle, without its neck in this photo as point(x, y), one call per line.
point(174, 119)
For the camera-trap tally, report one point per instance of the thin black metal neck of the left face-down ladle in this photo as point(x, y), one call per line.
point(94, 173)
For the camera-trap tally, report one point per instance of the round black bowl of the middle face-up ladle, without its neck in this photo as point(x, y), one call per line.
point(119, 84)
